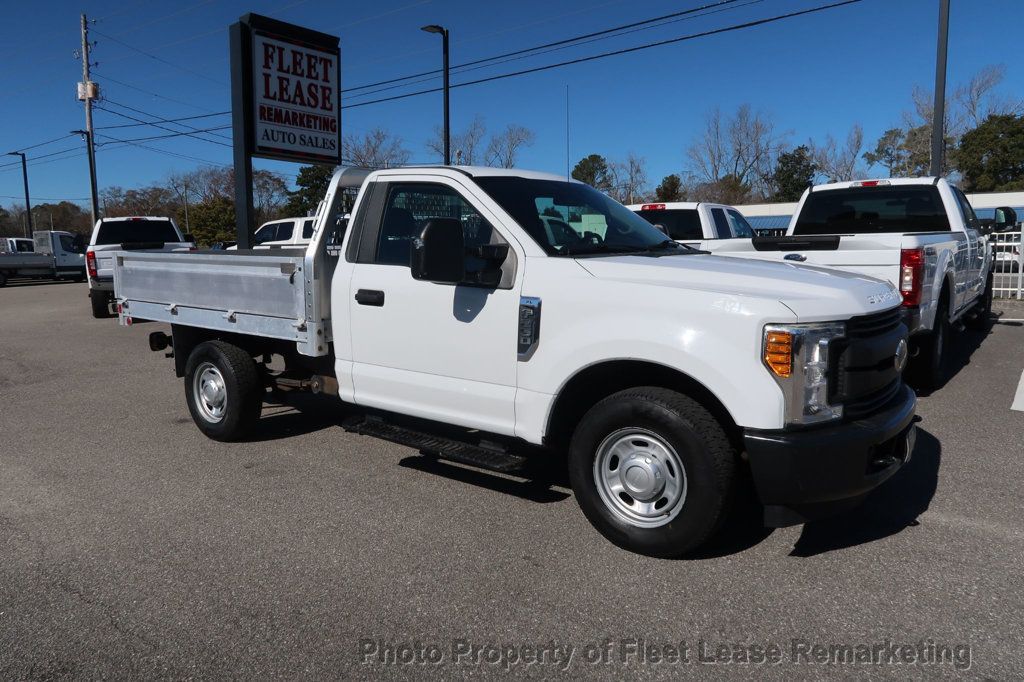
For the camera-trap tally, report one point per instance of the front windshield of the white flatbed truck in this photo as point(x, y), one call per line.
point(573, 220)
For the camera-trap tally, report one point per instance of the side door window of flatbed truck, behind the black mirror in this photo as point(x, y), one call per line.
point(408, 209)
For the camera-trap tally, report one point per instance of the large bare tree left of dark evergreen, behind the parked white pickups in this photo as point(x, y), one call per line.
point(743, 148)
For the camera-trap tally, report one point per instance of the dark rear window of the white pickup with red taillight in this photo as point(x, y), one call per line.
point(873, 210)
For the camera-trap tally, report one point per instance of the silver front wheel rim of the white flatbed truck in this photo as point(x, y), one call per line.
point(641, 478)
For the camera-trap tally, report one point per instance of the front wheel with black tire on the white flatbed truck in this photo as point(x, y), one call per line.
point(699, 442)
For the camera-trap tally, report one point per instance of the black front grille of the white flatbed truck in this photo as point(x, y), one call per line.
point(863, 370)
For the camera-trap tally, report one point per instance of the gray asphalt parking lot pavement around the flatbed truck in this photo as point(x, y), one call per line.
point(131, 545)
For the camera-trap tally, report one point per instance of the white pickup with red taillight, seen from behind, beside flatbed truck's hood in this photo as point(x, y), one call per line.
point(919, 234)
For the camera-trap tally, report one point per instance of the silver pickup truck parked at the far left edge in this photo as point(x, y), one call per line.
point(56, 255)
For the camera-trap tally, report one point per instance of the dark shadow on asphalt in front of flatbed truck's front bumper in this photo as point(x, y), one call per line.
point(887, 511)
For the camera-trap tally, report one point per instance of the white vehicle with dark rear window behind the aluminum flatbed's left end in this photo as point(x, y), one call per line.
point(133, 233)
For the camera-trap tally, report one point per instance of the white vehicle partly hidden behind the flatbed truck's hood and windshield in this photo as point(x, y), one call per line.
point(700, 225)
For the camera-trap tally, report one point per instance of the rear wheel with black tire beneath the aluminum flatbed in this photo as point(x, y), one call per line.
point(242, 391)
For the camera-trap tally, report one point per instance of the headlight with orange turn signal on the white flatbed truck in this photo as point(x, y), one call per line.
point(797, 357)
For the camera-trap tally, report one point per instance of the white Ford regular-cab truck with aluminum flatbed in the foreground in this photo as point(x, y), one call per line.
point(451, 319)
